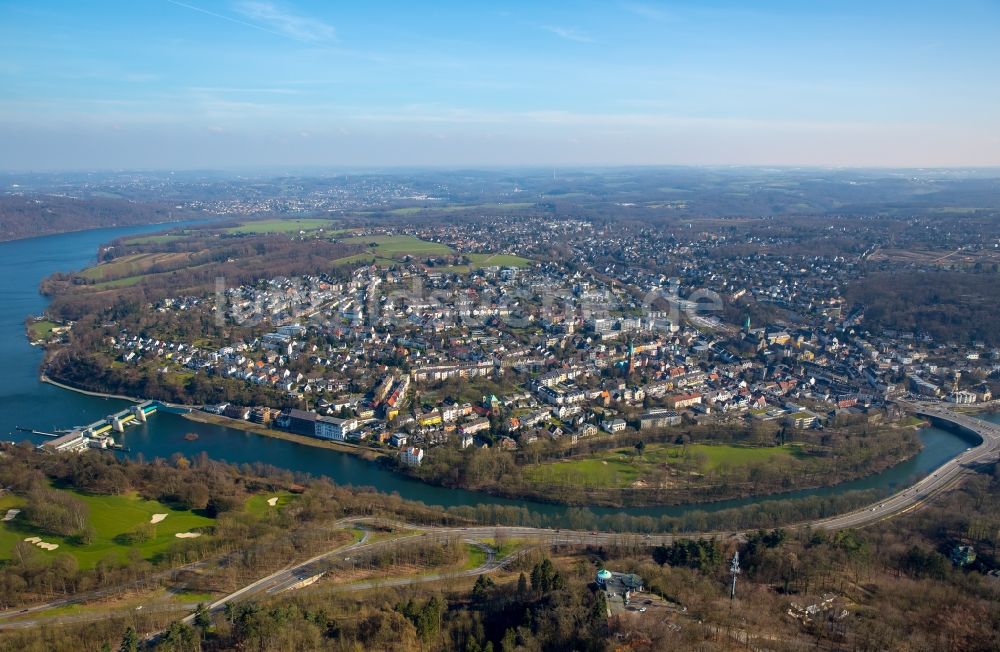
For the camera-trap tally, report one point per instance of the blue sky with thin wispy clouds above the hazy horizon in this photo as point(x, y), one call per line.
point(193, 84)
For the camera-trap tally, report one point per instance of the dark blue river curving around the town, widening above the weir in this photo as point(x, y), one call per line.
point(24, 401)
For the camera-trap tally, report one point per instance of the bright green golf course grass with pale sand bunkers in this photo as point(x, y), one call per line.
point(110, 517)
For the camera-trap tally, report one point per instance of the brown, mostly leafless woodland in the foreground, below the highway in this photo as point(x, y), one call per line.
point(888, 587)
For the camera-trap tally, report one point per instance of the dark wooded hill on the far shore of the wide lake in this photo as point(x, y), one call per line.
point(26, 216)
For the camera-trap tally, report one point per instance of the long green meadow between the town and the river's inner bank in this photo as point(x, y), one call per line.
point(622, 467)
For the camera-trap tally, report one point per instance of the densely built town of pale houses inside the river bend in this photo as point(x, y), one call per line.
point(429, 351)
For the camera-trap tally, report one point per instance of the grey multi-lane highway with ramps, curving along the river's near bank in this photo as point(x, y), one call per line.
point(944, 478)
